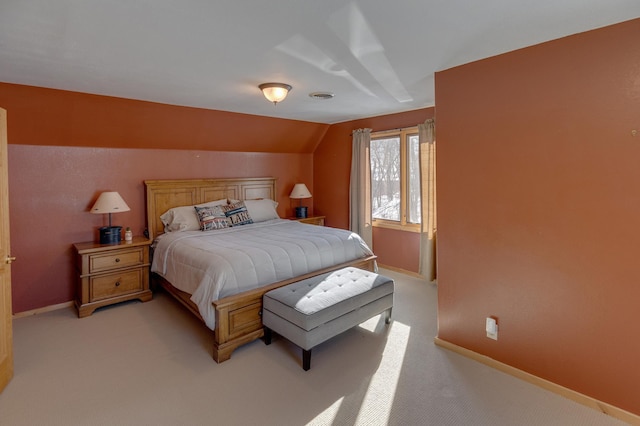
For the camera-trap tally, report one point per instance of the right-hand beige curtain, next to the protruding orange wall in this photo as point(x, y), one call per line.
point(427, 135)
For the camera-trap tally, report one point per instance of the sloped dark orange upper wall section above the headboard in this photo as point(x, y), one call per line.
point(60, 118)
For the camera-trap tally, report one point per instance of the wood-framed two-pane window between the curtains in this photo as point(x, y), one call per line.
point(395, 178)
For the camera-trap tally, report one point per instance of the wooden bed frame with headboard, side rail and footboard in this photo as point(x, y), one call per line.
point(238, 317)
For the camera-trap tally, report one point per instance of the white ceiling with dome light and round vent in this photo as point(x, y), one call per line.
point(377, 56)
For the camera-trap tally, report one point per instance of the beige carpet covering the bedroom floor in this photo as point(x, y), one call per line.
point(150, 364)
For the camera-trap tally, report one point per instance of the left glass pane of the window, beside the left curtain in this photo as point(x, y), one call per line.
point(385, 178)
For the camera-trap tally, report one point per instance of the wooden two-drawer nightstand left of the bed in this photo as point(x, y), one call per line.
point(111, 273)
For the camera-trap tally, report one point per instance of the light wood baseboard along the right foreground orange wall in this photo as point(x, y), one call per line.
point(590, 402)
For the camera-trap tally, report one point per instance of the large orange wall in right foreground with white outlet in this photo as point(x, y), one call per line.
point(539, 207)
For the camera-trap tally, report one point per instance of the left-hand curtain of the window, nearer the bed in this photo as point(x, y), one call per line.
point(360, 220)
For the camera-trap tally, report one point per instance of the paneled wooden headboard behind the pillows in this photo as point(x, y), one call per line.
point(165, 194)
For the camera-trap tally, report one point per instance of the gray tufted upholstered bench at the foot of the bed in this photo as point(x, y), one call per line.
point(313, 310)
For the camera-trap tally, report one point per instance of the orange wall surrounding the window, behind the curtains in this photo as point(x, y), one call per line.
point(332, 167)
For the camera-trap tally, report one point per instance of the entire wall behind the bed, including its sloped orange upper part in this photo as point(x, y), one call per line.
point(58, 166)
